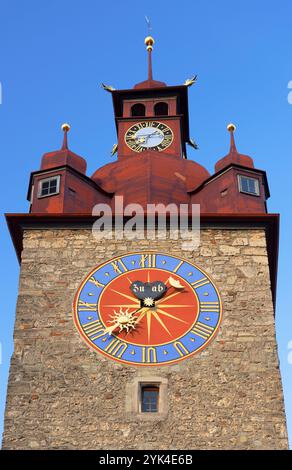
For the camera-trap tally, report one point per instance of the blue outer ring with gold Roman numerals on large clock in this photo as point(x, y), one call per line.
point(203, 330)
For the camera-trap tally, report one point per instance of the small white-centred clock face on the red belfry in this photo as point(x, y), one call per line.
point(149, 135)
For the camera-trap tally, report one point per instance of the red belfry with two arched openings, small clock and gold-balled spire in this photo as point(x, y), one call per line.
point(151, 116)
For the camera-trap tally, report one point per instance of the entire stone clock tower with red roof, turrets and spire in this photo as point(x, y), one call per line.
point(146, 342)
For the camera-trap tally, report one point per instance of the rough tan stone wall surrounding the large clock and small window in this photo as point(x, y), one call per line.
point(61, 394)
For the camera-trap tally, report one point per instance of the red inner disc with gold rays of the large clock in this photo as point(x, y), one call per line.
point(167, 319)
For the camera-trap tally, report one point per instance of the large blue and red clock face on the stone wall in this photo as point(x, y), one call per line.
point(147, 309)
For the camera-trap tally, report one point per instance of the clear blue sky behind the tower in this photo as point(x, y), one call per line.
point(53, 57)
